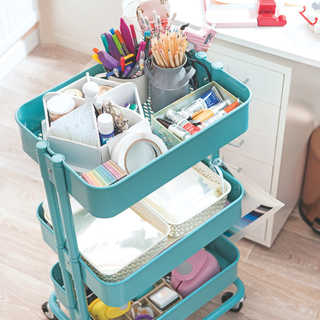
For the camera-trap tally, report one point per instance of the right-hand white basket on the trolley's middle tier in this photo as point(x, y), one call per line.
point(190, 199)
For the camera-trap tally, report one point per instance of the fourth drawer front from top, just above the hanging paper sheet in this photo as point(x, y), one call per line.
point(258, 172)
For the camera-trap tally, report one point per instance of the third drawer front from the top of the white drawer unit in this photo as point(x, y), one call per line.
point(254, 144)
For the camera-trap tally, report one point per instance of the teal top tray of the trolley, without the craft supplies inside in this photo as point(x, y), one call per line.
point(159, 171)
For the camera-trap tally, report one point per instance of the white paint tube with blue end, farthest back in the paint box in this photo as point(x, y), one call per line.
point(206, 101)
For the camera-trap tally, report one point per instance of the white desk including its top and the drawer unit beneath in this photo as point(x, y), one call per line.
point(283, 68)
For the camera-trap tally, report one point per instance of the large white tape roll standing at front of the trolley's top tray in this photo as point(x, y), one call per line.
point(136, 150)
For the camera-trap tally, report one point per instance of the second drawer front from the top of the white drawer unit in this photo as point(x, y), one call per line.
point(264, 117)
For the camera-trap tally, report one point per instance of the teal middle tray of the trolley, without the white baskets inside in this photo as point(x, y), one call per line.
point(117, 294)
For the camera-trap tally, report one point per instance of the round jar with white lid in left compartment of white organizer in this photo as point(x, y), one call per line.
point(59, 106)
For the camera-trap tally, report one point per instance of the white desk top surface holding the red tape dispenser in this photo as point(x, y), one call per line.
point(293, 41)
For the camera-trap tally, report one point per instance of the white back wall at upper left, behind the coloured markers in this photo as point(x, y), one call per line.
point(78, 24)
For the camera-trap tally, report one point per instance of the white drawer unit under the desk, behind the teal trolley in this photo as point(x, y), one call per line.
point(257, 154)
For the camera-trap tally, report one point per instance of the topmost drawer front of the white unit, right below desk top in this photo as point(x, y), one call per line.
point(265, 84)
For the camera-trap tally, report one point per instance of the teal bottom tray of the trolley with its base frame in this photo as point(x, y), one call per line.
point(227, 255)
